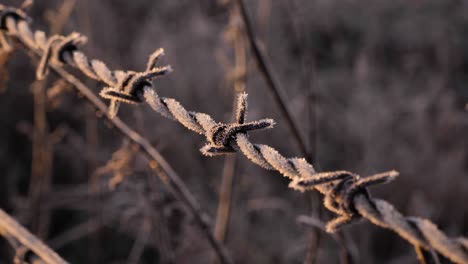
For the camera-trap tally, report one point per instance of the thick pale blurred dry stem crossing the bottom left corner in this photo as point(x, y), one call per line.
point(10, 228)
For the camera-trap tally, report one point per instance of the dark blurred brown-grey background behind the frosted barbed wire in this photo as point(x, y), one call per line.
point(375, 85)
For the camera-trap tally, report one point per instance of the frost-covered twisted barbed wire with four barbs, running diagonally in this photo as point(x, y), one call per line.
point(346, 194)
